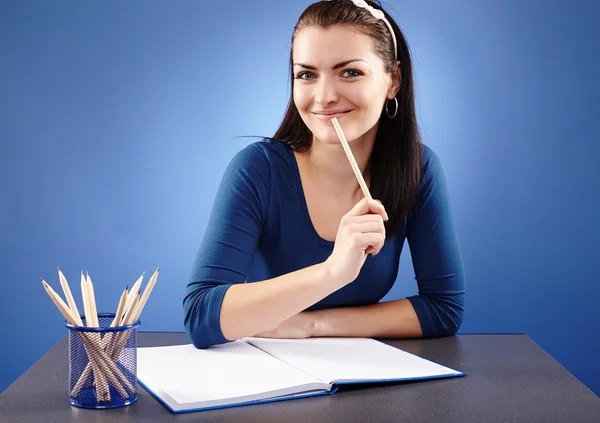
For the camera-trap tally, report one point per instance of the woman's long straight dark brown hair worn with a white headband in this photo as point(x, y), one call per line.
point(395, 162)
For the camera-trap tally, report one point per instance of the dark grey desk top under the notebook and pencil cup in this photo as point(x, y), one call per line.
point(511, 379)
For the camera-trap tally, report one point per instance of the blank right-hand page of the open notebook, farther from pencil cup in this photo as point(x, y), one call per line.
point(351, 359)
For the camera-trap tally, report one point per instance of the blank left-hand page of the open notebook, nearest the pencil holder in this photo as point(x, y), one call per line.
point(222, 374)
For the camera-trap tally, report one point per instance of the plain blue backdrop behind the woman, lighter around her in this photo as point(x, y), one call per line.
point(117, 120)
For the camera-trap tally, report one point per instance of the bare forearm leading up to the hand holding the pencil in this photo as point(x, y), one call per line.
point(248, 309)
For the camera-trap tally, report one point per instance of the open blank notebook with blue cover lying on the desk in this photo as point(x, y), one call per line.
point(256, 370)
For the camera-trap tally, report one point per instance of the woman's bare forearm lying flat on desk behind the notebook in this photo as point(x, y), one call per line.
point(391, 319)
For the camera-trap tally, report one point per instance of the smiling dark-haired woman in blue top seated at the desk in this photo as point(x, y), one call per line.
point(294, 200)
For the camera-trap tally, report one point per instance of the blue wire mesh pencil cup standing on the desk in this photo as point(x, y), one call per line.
point(103, 364)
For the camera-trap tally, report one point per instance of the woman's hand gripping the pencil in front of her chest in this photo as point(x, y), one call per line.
point(361, 232)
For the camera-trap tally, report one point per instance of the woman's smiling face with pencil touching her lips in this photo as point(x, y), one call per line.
point(337, 73)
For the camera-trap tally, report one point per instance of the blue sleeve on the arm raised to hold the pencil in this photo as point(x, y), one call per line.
point(229, 244)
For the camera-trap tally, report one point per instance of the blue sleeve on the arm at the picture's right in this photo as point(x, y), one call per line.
point(436, 255)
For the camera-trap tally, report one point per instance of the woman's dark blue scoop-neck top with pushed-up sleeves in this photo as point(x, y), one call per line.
point(260, 216)
